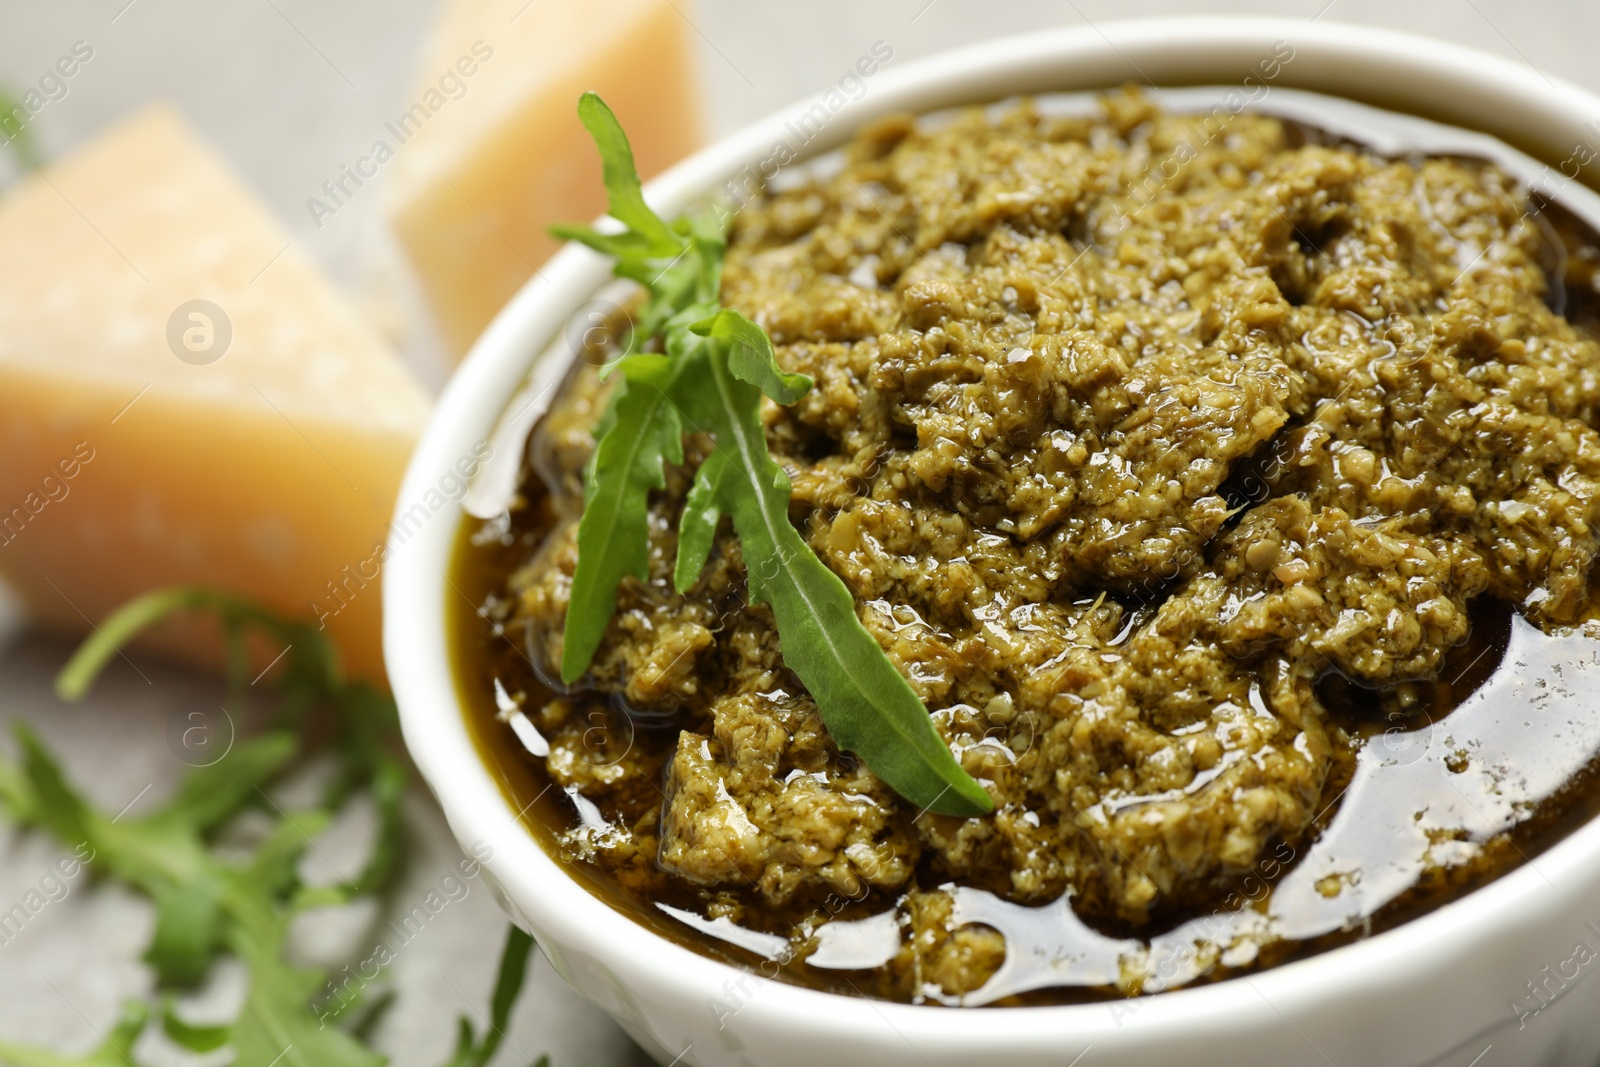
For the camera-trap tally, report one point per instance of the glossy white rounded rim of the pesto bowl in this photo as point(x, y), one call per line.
point(546, 898)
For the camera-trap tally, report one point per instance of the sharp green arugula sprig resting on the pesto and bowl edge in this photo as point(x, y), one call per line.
point(710, 377)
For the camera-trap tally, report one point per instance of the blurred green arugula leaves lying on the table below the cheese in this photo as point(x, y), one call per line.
point(210, 905)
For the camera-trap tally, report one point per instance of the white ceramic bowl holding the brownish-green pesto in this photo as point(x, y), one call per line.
point(1452, 988)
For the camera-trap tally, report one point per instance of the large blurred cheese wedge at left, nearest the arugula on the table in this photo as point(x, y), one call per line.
point(186, 399)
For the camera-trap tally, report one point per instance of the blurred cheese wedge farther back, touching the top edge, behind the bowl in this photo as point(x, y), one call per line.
point(494, 151)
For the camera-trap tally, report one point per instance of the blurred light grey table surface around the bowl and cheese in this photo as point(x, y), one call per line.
point(287, 90)
